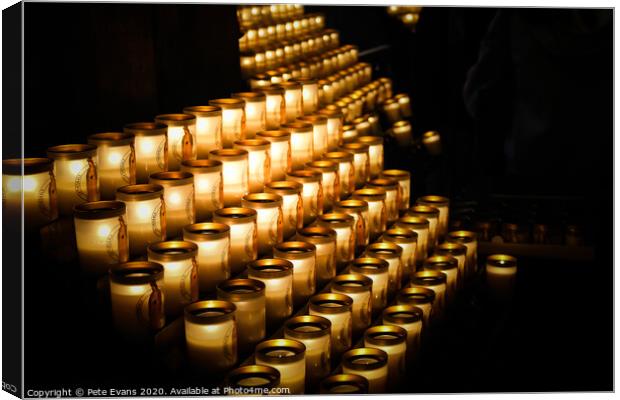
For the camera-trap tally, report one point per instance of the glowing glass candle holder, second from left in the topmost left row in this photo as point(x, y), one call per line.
point(75, 171)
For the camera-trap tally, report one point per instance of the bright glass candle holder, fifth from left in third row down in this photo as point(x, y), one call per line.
point(269, 219)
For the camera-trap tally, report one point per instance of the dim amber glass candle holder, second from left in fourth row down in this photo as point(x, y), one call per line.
point(248, 296)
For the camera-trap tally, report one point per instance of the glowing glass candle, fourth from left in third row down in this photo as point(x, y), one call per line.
point(243, 235)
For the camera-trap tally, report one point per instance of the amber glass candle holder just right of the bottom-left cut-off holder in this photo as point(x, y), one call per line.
point(288, 357)
